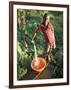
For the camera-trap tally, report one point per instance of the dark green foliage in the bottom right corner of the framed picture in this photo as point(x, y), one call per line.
point(57, 63)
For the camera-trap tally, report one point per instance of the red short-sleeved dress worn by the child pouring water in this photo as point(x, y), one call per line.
point(48, 33)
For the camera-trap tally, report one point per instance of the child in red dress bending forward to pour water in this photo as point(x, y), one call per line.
point(48, 31)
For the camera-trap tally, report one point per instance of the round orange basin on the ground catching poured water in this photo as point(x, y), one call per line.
point(40, 66)
